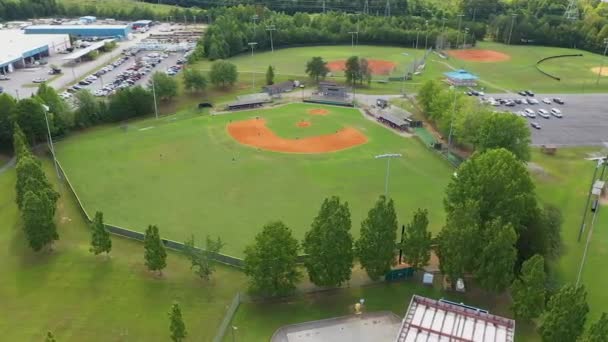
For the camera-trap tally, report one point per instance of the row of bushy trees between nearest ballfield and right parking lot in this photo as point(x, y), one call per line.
point(472, 124)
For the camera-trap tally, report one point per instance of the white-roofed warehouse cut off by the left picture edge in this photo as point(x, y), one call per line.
point(19, 49)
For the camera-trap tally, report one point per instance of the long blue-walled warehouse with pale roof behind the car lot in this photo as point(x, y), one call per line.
point(114, 31)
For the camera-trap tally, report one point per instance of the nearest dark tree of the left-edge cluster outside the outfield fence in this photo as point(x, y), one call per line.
point(38, 224)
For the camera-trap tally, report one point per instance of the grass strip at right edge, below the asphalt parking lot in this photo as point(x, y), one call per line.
point(566, 183)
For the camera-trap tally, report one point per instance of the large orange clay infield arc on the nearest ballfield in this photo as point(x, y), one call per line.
point(254, 133)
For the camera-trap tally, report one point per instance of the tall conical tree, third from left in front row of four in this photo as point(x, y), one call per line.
point(376, 246)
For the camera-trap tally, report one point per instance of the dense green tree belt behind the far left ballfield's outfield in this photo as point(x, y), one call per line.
point(233, 29)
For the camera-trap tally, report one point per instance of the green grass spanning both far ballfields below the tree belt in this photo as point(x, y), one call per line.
point(515, 74)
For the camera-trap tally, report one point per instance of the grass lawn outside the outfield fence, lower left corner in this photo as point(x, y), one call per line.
point(81, 297)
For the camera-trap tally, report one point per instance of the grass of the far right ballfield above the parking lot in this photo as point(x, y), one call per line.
point(520, 73)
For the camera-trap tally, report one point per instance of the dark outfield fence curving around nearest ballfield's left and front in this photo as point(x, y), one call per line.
point(131, 234)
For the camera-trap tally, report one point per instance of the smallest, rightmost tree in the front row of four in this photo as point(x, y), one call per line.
point(417, 240)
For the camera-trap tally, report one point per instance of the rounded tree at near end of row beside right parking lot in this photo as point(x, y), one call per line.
point(504, 131)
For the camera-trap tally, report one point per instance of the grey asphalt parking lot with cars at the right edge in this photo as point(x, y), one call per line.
point(584, 121)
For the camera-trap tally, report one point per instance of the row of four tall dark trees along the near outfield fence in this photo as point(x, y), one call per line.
point(271, 261)
